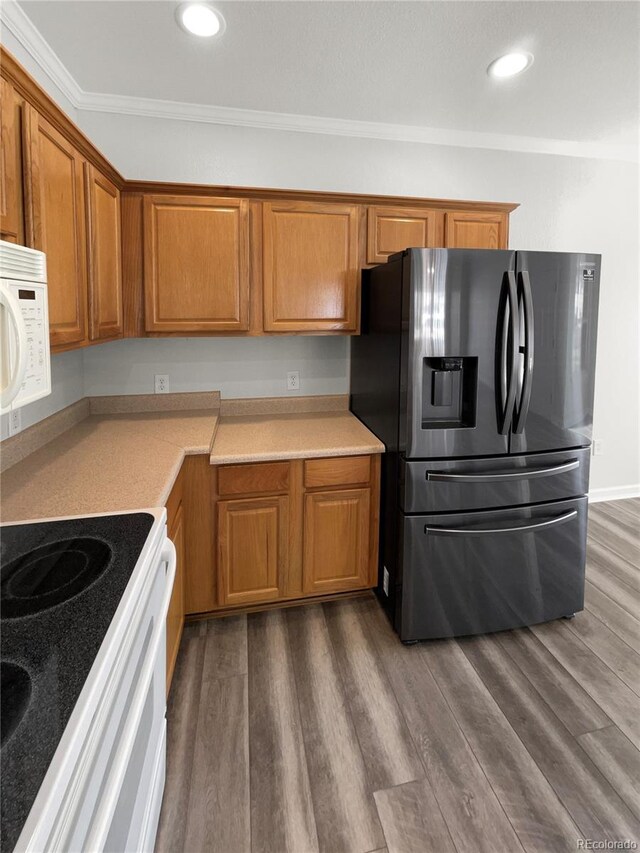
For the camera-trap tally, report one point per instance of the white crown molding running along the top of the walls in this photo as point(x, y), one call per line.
point(14, 18)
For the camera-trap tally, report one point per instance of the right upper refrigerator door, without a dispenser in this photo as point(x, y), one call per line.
point(555, 370)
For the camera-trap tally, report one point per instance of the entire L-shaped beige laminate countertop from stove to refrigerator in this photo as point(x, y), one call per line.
point(113, 463)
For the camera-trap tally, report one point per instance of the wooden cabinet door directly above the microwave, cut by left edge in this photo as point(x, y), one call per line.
point(11, 198)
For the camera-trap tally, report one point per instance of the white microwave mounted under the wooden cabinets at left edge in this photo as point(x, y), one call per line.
point(25, 359)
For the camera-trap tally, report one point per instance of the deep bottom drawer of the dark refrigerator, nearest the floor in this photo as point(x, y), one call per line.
point(472, 573)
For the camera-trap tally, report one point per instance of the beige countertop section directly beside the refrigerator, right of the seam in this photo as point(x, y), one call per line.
point(259, 438)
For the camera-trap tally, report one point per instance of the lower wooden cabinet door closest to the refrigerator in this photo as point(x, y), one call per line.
point(336, 540)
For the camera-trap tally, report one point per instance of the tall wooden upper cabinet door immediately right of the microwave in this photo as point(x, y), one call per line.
point(55, 219)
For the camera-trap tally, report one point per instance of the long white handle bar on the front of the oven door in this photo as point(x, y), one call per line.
point(101, 823)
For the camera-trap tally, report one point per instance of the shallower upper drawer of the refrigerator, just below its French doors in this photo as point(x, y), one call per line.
point(447, 485)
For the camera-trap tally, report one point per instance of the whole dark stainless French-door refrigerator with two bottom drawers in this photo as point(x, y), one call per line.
point(476, 369)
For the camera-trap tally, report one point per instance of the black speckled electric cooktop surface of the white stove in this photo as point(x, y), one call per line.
point(60, 585)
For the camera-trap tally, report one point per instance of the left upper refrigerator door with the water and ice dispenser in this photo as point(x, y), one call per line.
point(459, 348)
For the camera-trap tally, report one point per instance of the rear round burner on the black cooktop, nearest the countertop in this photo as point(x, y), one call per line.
point(50, 575)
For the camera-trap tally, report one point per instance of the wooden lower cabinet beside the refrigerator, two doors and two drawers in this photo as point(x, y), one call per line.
point(301, 528)
